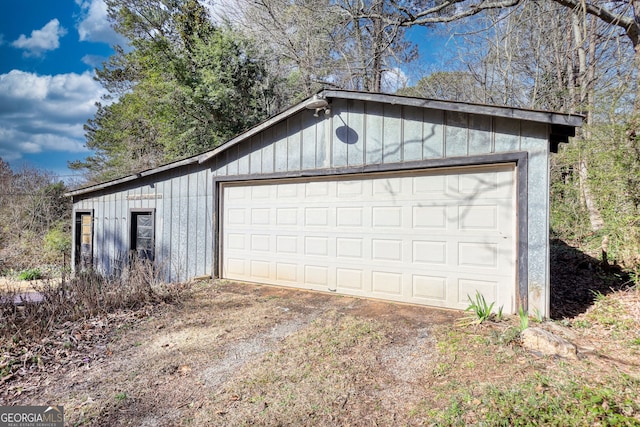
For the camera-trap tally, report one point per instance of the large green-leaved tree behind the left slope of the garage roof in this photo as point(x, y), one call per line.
point(184, 87)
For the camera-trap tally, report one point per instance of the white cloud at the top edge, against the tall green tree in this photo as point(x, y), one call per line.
point(94, 23)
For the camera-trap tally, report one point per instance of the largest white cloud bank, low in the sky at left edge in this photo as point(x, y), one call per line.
point(39, 114)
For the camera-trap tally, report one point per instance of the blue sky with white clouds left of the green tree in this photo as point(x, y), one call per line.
point(48, 53)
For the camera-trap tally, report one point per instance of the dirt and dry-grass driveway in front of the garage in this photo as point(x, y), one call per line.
point(244, 354)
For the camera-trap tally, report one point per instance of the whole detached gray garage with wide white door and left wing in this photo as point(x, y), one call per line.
point(372, 195)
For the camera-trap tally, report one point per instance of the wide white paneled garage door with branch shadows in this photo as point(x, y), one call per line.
point(429, 237)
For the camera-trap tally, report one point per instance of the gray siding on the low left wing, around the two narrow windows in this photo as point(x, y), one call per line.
point(183, 212)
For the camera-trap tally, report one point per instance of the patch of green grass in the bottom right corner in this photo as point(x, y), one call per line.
point(542, 401)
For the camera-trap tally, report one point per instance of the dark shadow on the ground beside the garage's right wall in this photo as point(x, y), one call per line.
point(576, 279)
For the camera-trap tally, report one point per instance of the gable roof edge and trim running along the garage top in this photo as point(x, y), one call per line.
point(562, 126)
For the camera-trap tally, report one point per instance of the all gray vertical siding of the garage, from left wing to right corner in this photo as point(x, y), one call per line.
point(356, 134)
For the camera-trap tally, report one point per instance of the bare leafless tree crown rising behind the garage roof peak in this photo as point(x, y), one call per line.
point(340, 43)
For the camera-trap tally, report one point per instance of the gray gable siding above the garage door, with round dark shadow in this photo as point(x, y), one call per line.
point(358, 133)
